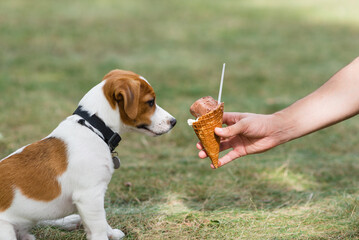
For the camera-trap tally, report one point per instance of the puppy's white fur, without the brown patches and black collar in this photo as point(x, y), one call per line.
point(85, 180)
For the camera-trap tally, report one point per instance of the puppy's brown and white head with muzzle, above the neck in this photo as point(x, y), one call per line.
point(135, 99)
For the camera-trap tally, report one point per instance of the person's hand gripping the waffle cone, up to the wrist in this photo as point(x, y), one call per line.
point(246, 133)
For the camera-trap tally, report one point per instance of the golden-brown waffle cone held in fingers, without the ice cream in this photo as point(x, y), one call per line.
point(204, 128)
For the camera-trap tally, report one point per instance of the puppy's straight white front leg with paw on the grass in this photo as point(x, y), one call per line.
point(90, 205)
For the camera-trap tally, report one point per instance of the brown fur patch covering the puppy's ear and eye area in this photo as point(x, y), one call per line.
point(131, 93)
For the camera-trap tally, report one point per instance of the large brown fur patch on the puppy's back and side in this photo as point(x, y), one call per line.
point(33, 171)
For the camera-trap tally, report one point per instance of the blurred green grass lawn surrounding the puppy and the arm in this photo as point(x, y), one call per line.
point(276, 51)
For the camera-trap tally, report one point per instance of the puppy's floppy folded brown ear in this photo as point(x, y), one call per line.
point(123, 90)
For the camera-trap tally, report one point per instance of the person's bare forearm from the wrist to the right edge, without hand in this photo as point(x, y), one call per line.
point(336, 100)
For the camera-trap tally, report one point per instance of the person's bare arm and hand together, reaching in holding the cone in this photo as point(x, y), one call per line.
point(248, 133)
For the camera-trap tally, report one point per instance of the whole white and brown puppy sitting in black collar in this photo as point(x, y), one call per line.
point(69, 170)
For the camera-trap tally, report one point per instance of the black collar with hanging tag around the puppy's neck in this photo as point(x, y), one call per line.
point(111, 138)
